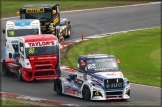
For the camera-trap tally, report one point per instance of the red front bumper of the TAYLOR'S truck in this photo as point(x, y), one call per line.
point(46, 74)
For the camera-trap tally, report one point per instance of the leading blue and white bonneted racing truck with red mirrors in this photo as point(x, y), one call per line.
point(98, 78)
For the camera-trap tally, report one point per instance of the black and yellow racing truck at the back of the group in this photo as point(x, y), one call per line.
point(49, 16)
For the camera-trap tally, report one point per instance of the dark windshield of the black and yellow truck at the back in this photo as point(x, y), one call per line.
point(41, 16)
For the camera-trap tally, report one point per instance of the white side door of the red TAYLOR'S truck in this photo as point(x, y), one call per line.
point(22, 54)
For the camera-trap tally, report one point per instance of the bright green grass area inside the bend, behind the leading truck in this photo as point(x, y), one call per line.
point(139, 53)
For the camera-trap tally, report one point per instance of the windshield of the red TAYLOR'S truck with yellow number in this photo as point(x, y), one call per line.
point(46, 50)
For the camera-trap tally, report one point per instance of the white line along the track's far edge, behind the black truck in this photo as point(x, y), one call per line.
point(95, 9)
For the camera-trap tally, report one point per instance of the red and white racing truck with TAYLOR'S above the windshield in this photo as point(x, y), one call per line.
point(38, 58)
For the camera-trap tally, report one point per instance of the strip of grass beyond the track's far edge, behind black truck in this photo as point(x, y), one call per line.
point(10, 7)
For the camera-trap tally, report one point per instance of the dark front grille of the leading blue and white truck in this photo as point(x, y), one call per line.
point(113, 83)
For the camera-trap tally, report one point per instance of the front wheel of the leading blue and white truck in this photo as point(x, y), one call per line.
point(86, 93)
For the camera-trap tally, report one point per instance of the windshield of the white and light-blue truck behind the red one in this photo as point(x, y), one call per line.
point(21, 32)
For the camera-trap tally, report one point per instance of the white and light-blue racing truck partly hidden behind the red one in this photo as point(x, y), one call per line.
point(15, 29)
